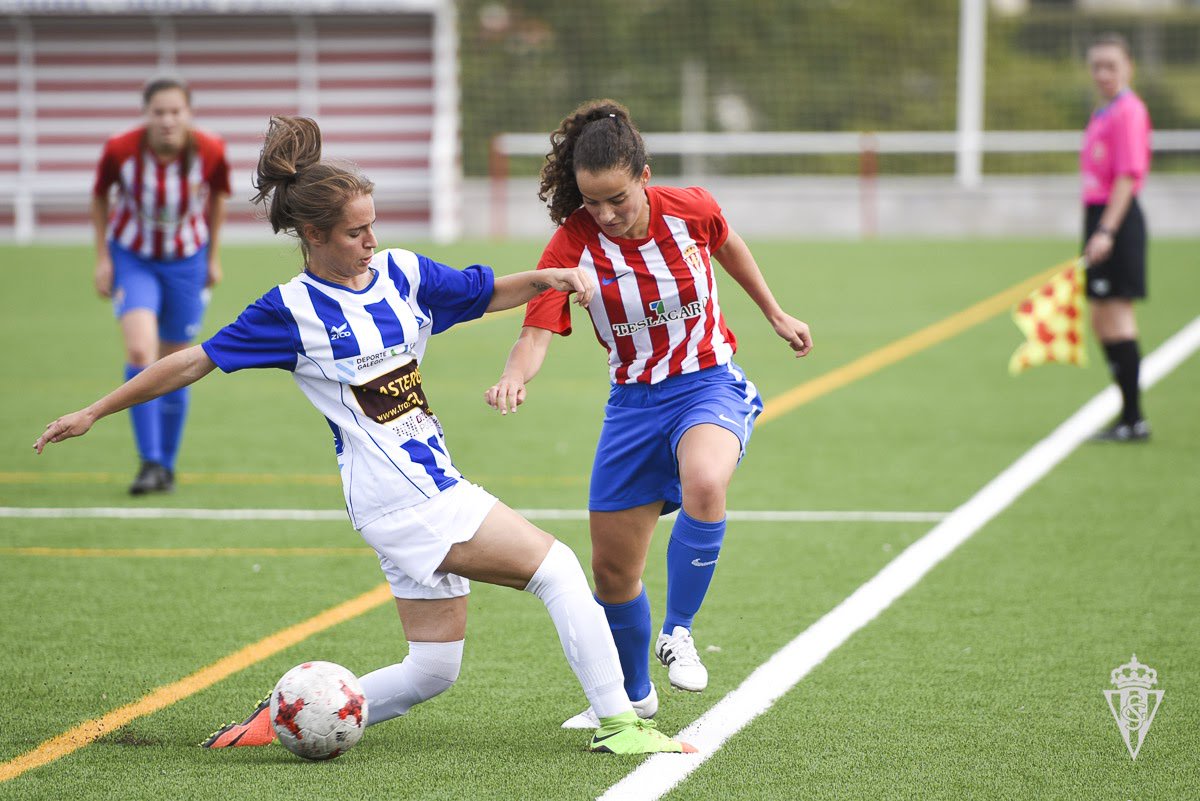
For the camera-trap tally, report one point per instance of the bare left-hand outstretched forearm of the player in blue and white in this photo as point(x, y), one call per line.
point(165, 376)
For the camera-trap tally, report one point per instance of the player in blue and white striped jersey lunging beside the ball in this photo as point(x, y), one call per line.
point(352, 328)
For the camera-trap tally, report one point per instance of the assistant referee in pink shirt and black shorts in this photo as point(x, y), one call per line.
point(1114, 162)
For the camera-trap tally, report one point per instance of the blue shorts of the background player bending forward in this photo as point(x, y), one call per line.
point(173, 291)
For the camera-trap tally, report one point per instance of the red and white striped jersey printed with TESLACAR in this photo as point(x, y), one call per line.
point(657, 311)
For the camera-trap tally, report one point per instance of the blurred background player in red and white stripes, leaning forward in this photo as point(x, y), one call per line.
point(157, 254)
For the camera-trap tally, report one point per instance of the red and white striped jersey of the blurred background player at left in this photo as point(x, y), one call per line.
point(161, 208)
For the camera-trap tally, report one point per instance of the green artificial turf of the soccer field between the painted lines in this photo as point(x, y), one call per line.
point(985, 682)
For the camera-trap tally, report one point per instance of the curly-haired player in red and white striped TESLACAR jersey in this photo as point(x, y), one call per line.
point(681, 412)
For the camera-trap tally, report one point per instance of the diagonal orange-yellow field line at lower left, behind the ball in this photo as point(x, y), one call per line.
point(92, 731)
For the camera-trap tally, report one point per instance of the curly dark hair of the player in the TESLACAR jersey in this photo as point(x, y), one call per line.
point(596, 137)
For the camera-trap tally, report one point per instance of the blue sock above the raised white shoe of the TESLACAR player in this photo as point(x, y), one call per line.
point(692, 562)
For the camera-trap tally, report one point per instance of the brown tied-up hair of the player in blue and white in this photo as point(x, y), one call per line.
point(297, 188)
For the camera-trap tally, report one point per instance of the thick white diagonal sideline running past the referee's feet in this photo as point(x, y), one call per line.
point(658, 775)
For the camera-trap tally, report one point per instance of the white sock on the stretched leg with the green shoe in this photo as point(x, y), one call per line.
point(583, 630)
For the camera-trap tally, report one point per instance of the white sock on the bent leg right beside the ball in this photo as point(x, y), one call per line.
point(429, 671)
